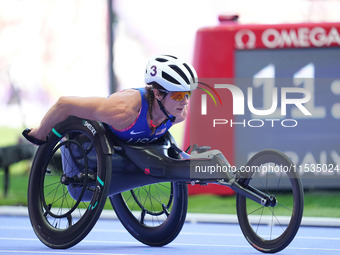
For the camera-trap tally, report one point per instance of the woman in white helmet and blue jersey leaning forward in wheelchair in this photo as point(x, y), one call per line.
point(134, 115)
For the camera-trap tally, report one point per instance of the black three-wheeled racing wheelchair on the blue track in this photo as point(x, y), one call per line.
point(83, 164)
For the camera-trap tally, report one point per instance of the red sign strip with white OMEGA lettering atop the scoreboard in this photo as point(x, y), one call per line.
point(286, 38)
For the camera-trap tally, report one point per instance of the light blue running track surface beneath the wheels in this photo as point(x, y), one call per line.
point(110, 237)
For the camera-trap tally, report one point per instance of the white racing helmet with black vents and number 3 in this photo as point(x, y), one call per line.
point(171, 73)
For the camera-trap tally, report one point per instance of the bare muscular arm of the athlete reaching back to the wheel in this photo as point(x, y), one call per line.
point(119, 110)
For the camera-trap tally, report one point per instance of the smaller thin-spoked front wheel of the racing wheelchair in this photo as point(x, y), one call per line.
point(271, 229)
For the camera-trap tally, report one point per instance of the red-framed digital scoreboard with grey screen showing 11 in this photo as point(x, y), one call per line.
point(287, 97)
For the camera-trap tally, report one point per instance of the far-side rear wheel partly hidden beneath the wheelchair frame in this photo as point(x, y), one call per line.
point(153, 214)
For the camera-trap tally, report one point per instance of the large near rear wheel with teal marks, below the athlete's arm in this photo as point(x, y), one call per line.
point(64, 206)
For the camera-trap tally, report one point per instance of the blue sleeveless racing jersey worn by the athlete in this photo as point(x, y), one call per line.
point(139, 131)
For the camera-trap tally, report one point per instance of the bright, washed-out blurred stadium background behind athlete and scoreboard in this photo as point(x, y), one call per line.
point(58, 47)
